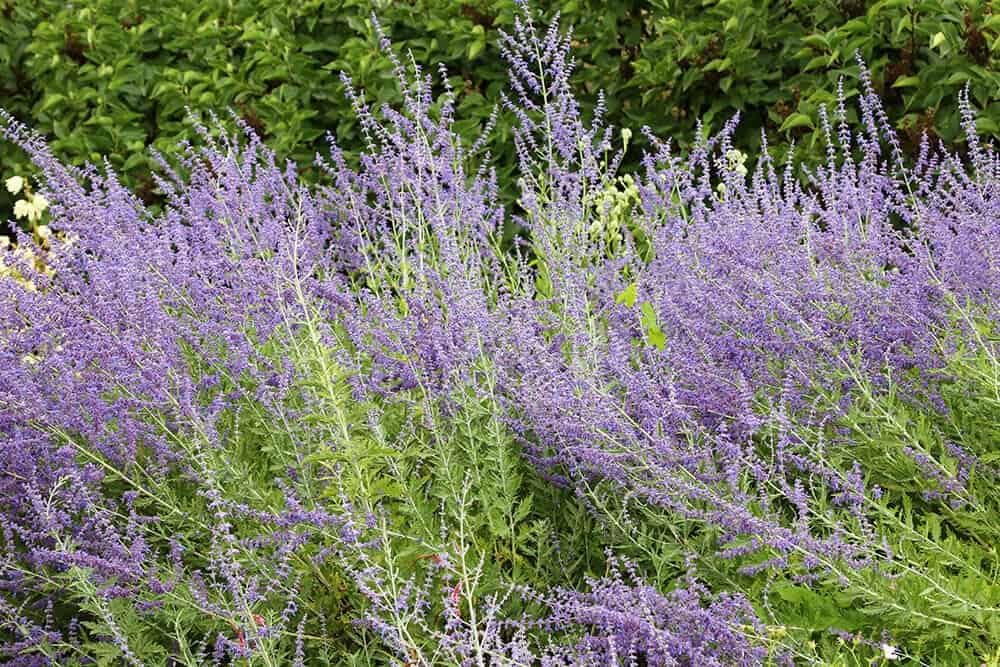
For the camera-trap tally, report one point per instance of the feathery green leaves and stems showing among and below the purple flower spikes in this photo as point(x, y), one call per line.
point(454, 486)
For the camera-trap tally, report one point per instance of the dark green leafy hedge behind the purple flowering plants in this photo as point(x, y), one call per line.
point(110, 77)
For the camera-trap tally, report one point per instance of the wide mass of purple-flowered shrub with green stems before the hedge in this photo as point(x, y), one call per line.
point(671, 423)
